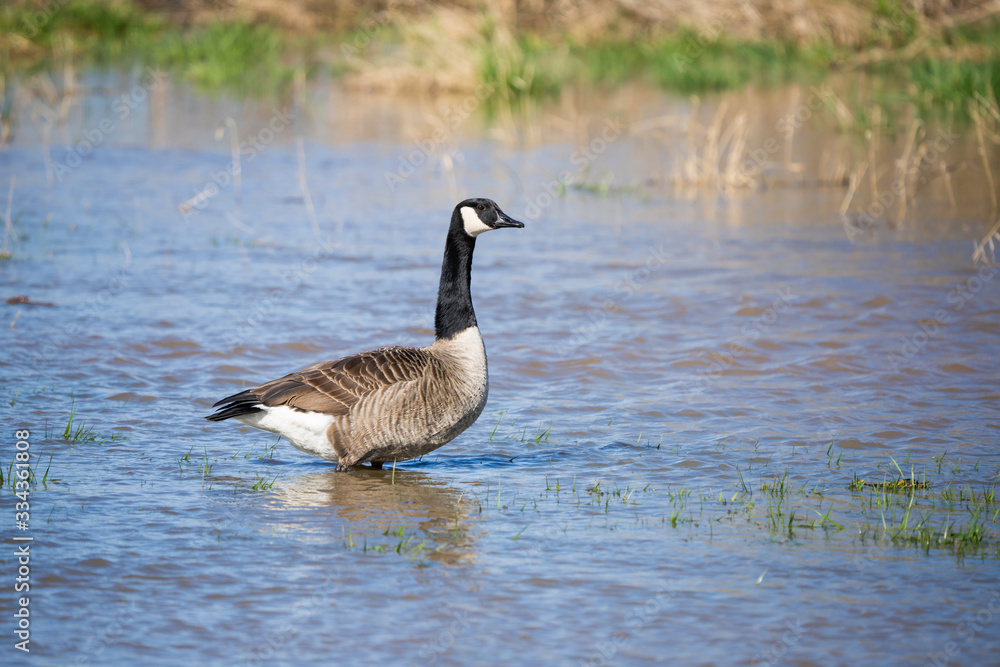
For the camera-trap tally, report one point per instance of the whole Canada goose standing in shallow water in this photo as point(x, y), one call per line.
point(394, 403)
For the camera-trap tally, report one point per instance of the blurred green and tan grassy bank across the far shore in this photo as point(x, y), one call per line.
point(936, 62)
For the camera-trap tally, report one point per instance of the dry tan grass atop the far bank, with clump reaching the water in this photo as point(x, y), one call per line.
point(437, 45)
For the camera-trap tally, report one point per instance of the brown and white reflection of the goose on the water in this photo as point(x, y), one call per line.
point(385, 511)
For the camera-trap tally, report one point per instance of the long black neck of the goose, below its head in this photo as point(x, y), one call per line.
point(454, 310)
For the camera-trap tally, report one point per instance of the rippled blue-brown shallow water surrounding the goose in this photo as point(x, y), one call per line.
point(656, 360)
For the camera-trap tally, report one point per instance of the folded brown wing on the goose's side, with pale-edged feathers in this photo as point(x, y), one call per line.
point(334, 387)
